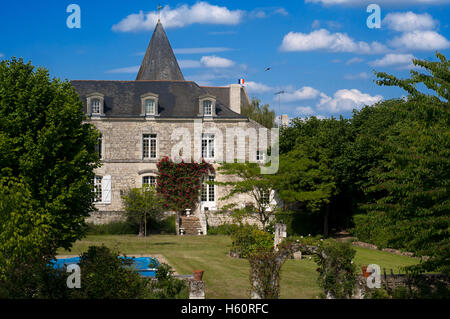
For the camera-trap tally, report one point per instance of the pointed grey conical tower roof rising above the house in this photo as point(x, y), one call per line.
point(159, 62)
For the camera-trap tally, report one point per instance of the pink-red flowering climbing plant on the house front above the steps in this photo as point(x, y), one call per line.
point(180, 183)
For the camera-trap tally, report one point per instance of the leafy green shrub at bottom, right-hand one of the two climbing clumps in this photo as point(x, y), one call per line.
point(337, 272)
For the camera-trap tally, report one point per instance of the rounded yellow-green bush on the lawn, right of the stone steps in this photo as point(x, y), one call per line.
point(249, 239)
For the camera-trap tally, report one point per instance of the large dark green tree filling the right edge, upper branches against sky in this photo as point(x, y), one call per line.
point(408, 188)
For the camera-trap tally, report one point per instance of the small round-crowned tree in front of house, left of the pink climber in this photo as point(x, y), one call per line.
point(141, 205)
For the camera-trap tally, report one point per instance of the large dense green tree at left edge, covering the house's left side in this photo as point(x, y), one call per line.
point(47, 147)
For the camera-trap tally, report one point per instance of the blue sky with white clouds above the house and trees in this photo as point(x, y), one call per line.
point(320, 52)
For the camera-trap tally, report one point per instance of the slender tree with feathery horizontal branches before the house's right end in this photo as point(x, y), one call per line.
point(249, 181)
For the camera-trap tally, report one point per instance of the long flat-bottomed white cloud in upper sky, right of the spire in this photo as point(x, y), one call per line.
point(324, 40)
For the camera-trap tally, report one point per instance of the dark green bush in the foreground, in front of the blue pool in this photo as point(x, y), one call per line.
point(106, 276)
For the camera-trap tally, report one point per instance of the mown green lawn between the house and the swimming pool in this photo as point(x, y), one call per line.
point(227, 277)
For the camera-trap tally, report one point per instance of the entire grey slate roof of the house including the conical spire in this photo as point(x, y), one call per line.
point(159, 74)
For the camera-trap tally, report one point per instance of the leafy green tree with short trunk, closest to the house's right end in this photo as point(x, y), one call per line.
point(313, 164)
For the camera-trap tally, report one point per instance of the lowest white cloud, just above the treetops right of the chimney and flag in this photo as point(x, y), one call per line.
point(346, 100)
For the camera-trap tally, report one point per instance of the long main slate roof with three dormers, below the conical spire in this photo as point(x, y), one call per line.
point(176, 99)
